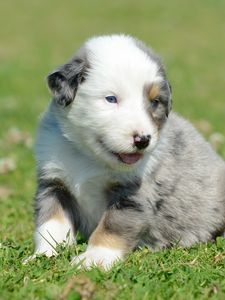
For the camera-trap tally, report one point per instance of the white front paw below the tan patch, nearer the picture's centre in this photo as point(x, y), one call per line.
point(102, 257)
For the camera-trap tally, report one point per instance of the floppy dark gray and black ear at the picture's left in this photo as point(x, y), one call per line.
point(64, 82)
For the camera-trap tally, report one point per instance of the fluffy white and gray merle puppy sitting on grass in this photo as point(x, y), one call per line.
point(116, 165)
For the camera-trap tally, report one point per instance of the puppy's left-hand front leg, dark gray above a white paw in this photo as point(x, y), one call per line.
point(54, 217)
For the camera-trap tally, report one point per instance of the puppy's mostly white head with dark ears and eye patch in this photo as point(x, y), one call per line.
point(112, 99)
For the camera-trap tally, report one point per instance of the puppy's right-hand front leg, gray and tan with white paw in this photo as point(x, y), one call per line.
point(117, 233)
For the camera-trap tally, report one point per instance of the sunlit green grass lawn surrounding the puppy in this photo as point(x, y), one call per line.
point(36, 36)
